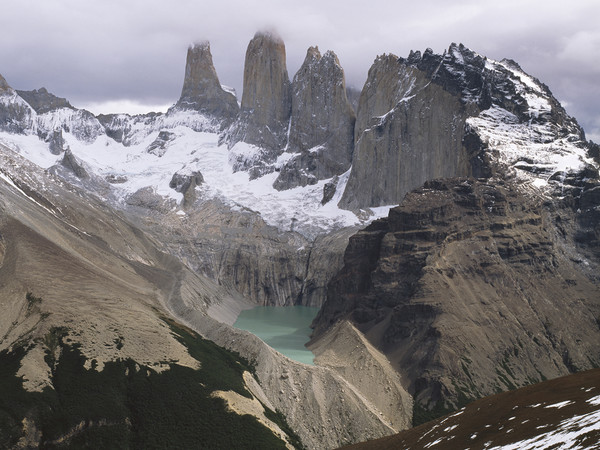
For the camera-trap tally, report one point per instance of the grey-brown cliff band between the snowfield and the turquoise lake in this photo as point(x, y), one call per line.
point(240, 251)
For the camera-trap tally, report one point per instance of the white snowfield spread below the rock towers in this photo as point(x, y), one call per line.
point(299, 209)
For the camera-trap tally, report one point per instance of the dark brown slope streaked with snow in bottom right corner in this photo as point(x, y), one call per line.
point(561, 413)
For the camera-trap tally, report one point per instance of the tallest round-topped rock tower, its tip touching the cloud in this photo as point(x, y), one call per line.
point(266, 99)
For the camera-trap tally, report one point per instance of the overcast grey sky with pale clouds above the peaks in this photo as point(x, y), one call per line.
point(130, 54)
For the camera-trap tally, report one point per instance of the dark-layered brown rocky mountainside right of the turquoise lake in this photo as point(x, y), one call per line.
point(468, 288)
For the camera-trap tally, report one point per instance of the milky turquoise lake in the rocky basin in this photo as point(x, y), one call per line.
point(285, 328)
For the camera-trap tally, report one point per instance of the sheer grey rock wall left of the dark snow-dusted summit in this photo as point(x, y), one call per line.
point(408, 130)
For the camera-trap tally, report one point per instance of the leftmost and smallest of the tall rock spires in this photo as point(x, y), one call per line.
point(202, 90)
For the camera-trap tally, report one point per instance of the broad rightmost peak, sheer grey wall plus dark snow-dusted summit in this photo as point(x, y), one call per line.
point(430, 116)
